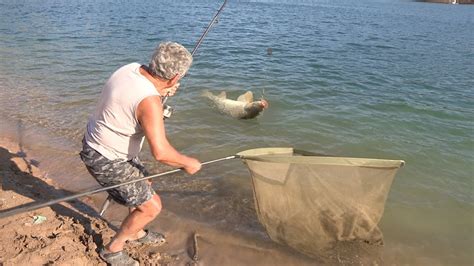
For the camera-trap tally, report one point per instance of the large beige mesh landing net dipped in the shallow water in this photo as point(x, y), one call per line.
point(311, 202)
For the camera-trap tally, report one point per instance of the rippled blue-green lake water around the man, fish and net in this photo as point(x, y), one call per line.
point(372, 78)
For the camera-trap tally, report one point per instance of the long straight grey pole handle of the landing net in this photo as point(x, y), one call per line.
point(31, 207)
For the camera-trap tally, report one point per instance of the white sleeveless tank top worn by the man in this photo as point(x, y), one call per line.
point(114, 130)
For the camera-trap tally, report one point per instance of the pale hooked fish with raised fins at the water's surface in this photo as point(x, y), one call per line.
point(242, 108)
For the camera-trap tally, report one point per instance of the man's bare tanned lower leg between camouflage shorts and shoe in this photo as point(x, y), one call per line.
point(134, 223)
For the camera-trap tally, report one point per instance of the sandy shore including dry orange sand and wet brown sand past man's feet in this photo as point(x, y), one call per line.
point(71, 233)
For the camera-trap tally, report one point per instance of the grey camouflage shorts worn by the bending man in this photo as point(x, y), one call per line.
point(110, 172)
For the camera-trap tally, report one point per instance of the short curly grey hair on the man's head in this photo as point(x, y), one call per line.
point(169, 59)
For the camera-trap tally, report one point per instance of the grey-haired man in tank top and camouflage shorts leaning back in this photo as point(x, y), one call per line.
point(130, 109)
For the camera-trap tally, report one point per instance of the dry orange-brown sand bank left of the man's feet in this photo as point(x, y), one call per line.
point(61, 234)
